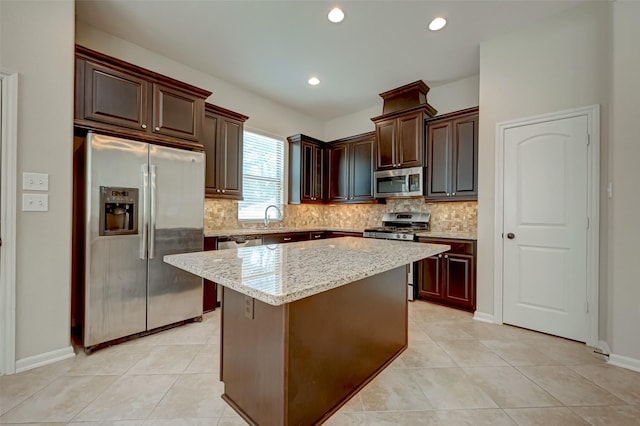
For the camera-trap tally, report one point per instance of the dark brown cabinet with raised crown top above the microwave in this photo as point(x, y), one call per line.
point(400, 130)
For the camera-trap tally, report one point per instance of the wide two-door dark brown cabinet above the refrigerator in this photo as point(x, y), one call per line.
point(123, 99)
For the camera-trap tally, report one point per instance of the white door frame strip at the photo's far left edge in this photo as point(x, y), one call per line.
point(9, 208)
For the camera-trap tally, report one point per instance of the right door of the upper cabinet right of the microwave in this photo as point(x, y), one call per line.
point(465, 157)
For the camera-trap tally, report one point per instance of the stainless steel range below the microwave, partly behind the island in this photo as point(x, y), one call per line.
point(402, 226)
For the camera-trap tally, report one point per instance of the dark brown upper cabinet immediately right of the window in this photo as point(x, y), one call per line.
point(306, 170)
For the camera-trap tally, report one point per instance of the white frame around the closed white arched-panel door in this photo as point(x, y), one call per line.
point(593, 205)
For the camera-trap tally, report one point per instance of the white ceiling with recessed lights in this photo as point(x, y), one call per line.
point(271, 48)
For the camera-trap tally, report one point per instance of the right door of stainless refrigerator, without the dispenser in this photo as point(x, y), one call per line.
point(176, 226)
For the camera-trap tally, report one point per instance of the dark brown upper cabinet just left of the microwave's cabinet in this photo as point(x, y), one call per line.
point(350, 169)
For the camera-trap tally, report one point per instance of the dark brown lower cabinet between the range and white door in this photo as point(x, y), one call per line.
point(449, 278)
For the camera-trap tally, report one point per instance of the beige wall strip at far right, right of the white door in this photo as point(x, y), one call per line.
point(623, 278)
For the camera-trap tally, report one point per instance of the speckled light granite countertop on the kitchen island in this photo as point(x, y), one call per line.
point(281, 273)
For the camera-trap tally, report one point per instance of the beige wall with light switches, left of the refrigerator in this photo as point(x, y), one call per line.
point(37, 43)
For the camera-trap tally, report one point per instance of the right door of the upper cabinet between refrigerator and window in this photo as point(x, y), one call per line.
point(229, 157)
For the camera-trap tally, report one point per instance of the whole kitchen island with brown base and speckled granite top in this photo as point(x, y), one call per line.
point(306, 325)
